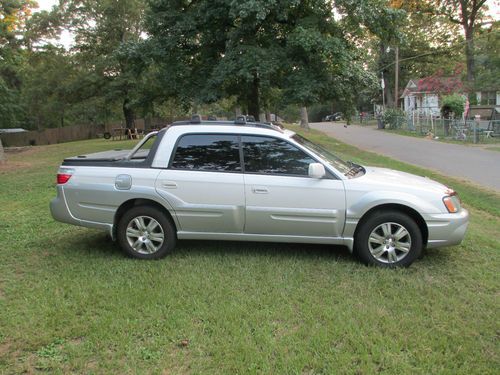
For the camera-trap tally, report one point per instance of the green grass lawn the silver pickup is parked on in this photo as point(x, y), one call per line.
point(71, 303)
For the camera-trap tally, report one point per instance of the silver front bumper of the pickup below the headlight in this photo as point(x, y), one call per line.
point(446, 229)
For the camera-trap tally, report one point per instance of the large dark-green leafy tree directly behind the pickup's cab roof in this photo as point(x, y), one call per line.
point(209, 50)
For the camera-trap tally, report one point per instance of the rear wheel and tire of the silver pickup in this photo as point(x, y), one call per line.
point(145, 232)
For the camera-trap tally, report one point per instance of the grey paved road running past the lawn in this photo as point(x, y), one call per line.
point(474, 164)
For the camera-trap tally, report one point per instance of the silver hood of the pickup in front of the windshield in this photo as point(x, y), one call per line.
point(401, 180)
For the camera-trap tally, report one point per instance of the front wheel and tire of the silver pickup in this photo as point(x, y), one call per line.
point(388, 239)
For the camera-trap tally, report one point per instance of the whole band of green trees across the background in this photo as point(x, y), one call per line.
point(142, 58)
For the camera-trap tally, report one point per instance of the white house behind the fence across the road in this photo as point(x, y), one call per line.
point(424, 95)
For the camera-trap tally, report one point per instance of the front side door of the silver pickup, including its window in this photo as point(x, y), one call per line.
point(281, 198)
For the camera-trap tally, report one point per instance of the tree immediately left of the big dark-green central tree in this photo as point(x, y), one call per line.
point(108, 39)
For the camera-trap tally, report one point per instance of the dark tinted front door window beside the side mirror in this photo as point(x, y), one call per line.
point(274, 156)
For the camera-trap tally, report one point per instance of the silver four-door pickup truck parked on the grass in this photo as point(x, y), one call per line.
point(215, 180)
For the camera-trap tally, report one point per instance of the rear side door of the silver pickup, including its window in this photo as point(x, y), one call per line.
point(204, 184)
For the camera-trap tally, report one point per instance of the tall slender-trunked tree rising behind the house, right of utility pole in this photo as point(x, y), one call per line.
point(468, 14)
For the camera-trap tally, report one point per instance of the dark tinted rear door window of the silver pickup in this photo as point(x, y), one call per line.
point(208, 152)
